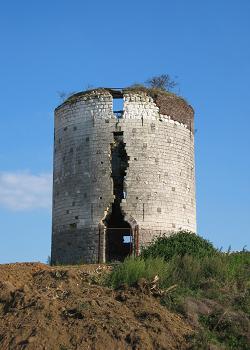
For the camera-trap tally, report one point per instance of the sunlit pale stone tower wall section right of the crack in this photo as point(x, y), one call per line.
point(160, 181)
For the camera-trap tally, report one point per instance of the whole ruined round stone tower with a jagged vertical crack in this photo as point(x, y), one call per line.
point(120, 177)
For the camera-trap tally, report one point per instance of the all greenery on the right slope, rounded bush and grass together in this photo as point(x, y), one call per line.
point(202, 273)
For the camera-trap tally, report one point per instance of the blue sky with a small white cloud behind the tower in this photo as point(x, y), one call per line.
point(51, 46)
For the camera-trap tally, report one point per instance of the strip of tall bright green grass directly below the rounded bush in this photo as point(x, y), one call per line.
point(188, 272)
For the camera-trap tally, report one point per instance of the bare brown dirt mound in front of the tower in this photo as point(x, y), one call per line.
point(44, 307)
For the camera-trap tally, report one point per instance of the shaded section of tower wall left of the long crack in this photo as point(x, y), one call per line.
point(82, 189)
